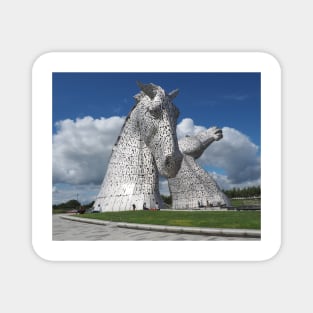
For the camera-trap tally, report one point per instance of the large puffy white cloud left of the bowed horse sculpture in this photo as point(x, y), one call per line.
point(81, 149)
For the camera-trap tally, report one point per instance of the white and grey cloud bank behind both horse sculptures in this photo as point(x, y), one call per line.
point(82, 148)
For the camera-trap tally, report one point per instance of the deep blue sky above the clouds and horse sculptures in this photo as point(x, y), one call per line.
point(221, 99)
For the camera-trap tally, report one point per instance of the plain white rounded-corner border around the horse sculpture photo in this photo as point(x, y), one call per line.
point(51, 250)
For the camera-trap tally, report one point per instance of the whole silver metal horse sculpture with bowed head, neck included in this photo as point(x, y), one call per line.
point(146, 147)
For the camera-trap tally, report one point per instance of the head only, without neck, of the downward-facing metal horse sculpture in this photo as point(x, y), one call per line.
point(156, 118)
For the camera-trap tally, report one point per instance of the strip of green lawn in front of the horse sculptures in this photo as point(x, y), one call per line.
point(215, 219)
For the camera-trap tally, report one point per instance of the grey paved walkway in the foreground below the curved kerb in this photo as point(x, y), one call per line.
point(64, 229)
